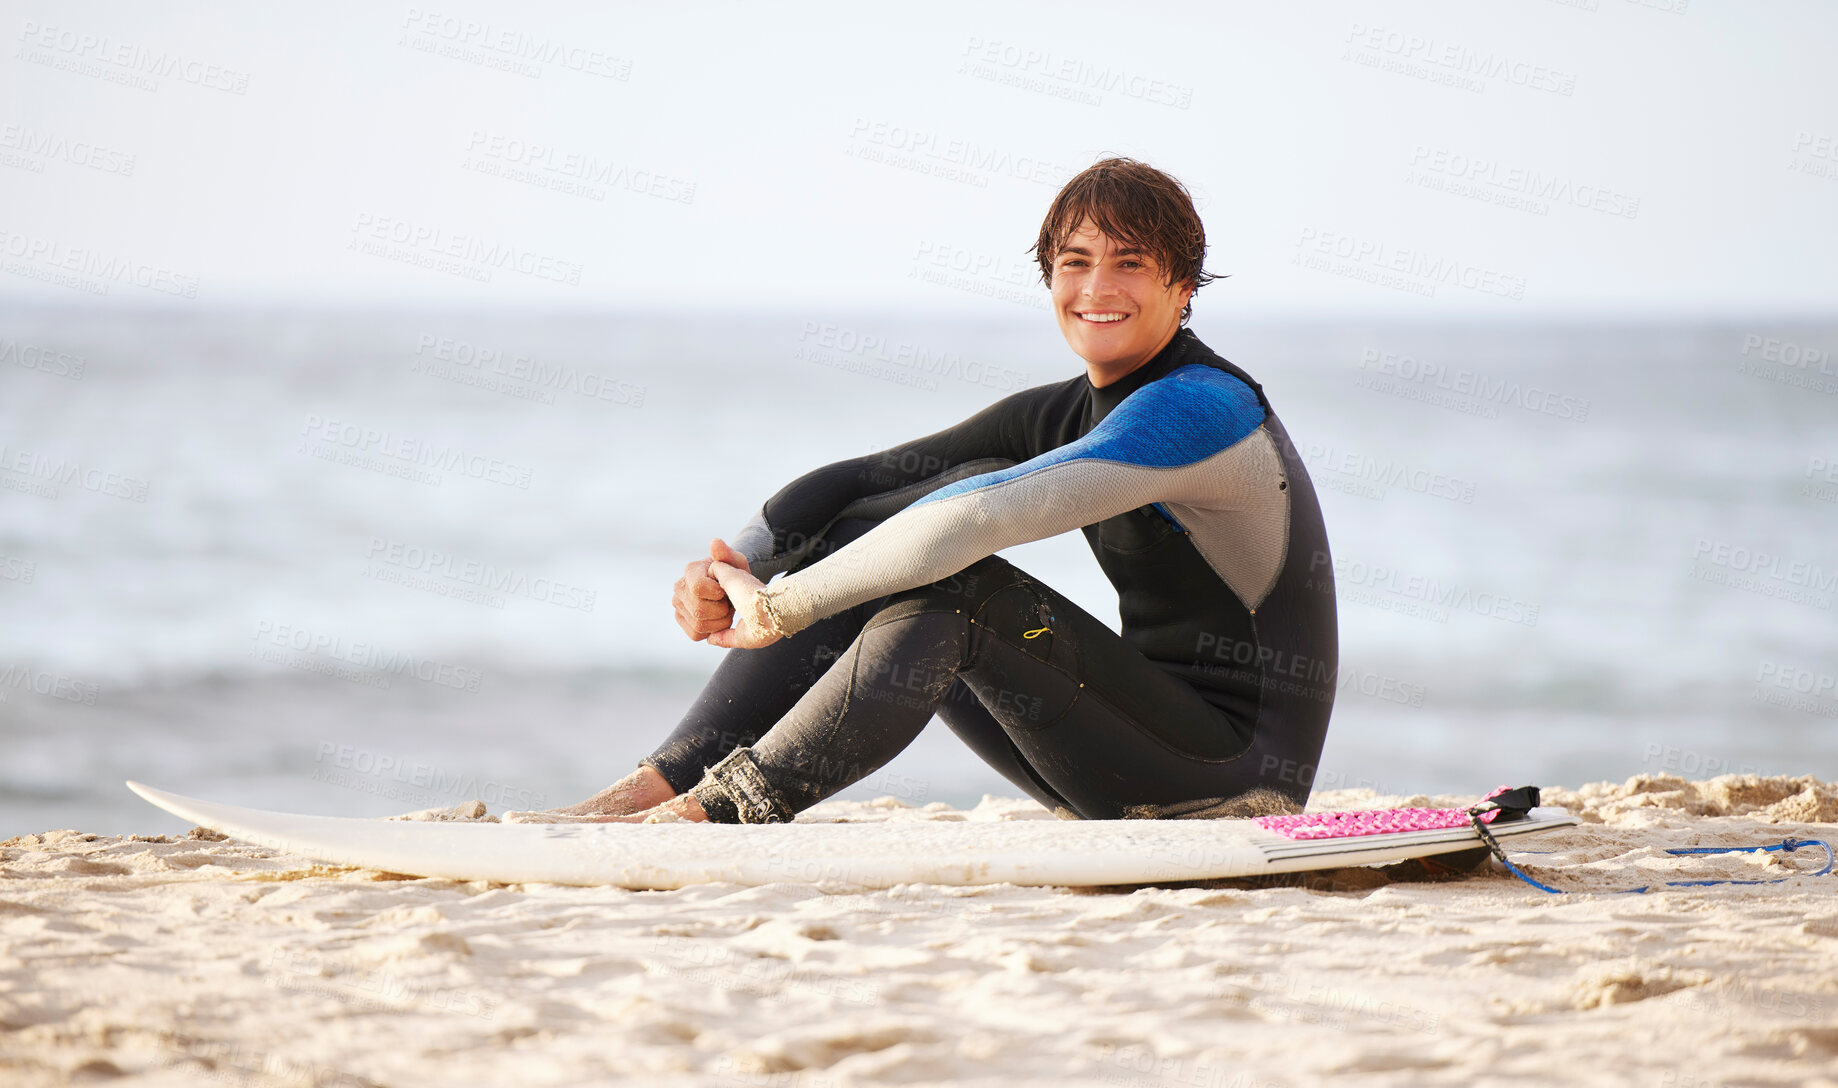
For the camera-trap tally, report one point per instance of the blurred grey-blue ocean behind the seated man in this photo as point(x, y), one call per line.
point(370, 561)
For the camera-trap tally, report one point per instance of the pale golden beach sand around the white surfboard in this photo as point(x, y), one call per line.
point(205, 962)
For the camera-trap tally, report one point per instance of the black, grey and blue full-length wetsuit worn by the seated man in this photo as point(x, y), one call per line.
point(1212, 701)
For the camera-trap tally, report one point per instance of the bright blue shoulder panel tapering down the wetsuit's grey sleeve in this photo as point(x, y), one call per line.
point(1185, 418)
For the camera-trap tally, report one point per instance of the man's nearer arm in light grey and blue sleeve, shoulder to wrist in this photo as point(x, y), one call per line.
point(1170, 442)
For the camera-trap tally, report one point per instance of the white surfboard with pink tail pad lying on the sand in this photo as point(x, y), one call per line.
point(854, 856)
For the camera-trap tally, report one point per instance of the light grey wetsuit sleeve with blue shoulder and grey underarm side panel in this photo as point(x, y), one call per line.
point(1190, 440)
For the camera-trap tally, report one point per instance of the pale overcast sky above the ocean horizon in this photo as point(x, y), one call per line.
point(1442, 159)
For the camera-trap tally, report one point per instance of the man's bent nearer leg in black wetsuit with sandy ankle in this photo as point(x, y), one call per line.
point(1087, 725)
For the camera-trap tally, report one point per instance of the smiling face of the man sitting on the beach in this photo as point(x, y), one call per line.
point(1113, 304)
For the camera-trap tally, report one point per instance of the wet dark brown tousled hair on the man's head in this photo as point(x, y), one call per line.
point(1137, 207)
